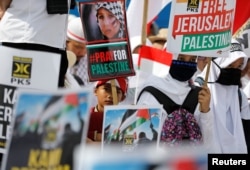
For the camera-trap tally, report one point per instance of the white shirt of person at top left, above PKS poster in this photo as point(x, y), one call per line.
point(27, 21)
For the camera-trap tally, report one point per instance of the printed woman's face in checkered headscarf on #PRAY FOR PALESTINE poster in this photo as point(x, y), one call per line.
point(110, 19)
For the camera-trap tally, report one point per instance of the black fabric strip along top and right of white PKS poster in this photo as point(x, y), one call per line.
point(39, 47)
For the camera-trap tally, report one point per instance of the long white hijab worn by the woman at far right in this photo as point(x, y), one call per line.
point(228, 130)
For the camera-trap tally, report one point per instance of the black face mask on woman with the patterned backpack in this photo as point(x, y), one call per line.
point(182, 70)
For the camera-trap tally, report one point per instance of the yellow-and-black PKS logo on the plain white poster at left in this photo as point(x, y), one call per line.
point(21, 70)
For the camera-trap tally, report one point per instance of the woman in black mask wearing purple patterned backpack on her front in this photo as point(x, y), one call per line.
point(176, 86)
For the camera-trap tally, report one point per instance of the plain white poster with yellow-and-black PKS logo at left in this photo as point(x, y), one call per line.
point(28, 68)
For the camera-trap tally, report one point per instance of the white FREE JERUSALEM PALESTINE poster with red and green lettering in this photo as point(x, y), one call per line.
point(201, 28)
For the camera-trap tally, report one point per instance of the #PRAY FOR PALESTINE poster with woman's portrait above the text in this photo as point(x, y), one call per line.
point(108, 48)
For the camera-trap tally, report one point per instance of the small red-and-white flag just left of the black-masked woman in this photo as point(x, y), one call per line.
point(154, 61)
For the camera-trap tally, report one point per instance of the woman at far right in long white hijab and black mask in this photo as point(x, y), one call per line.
point(223, 82)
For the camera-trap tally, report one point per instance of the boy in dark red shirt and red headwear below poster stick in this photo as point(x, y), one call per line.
point(103, 93)
